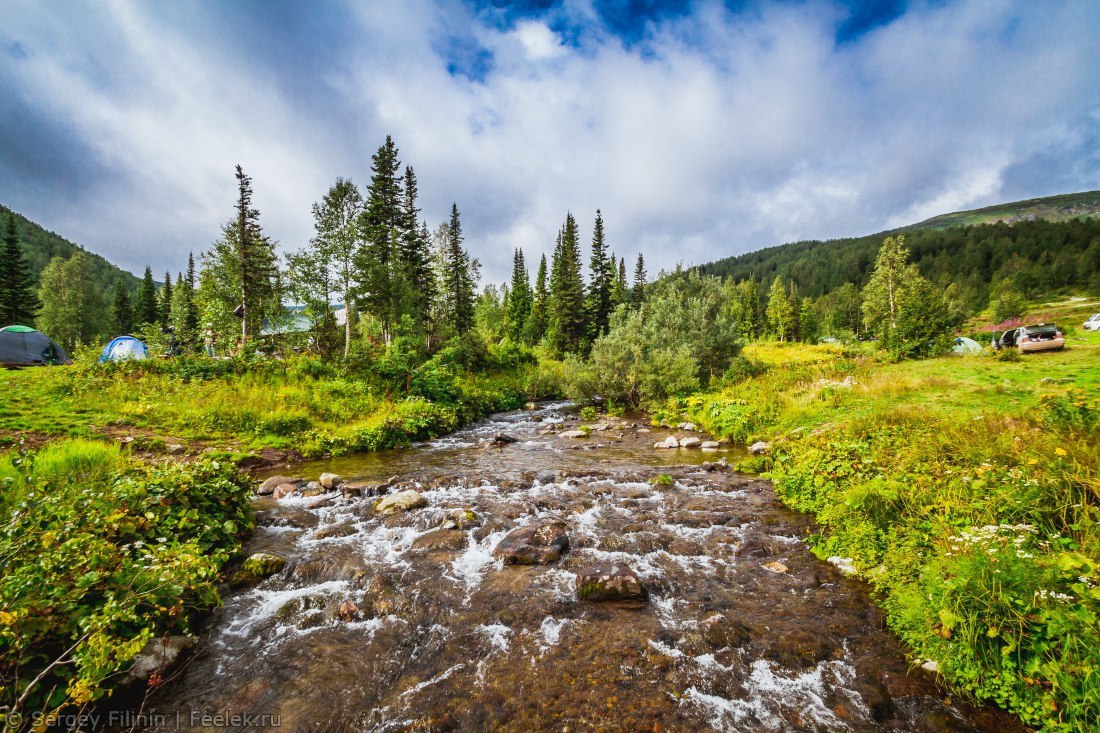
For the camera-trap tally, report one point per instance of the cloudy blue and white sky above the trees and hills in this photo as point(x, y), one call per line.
point(701, 130)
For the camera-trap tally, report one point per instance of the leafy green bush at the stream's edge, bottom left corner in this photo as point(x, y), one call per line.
point(101, 555)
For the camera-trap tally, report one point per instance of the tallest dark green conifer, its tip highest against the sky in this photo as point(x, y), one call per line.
point(381, 227)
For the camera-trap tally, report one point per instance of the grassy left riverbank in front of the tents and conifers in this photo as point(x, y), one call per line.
point(301, 406)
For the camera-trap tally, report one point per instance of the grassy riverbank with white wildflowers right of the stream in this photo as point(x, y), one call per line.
point(966, 491)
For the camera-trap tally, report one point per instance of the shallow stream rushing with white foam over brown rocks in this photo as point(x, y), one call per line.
point(410, 623)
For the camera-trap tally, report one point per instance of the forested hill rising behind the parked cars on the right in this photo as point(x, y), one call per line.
point(1038, 246)
